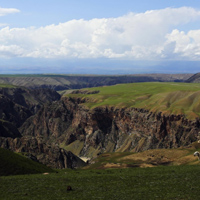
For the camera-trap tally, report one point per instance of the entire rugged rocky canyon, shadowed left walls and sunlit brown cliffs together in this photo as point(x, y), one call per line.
point(57, 130)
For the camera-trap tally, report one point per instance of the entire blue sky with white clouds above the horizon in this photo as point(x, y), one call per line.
point(99, 37)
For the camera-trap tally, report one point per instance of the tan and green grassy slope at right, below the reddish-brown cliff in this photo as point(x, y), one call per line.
point(149, 158)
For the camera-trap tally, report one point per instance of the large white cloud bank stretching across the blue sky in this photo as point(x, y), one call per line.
point(151, 35)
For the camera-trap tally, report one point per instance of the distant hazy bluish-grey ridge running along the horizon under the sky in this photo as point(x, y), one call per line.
point(65, 82)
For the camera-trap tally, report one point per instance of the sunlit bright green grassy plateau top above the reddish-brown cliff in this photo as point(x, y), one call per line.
point(176, 98)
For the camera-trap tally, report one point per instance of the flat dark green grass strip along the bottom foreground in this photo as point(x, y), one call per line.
point(163, 183)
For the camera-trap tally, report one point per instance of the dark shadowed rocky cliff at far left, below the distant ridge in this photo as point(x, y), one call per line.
point(17, 105)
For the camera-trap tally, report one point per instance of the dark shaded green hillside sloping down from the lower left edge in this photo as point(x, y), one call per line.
point(13, 164)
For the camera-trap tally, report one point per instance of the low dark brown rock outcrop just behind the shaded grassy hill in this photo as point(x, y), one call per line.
point(52, 156)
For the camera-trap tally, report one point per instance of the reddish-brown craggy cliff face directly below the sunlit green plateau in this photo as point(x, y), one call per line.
point(108, 129)
